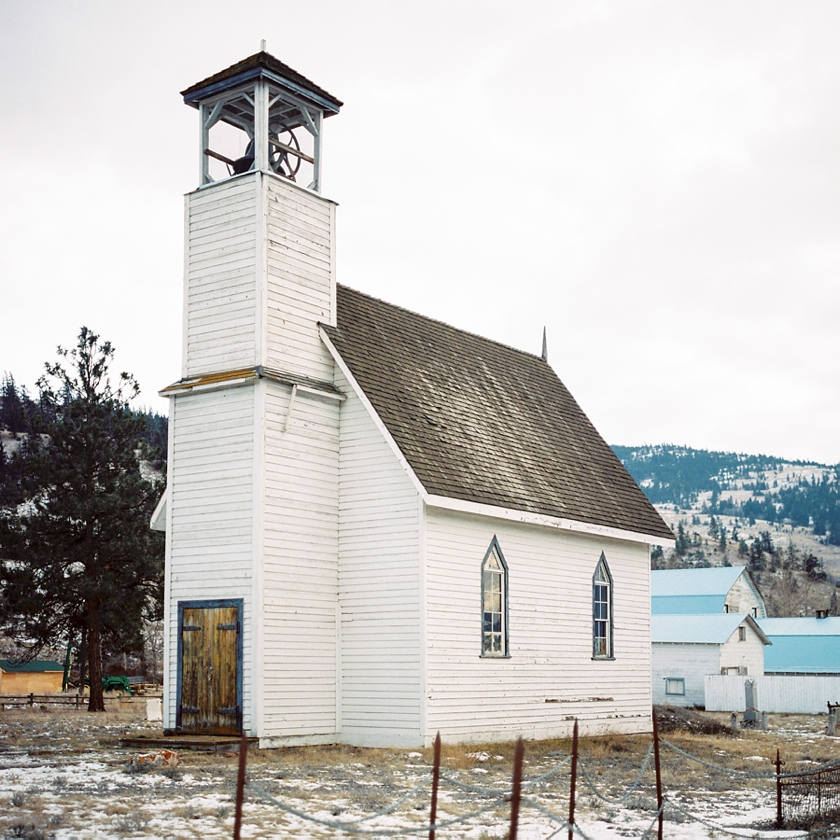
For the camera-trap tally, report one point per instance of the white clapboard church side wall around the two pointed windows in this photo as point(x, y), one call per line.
point(550, 677)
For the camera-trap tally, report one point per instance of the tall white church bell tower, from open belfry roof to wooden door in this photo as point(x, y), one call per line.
point(251, 511)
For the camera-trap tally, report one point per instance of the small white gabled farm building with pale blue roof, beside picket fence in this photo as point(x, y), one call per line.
point(686, 648)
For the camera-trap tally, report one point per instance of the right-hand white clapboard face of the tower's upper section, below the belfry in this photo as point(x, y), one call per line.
point(300, 278)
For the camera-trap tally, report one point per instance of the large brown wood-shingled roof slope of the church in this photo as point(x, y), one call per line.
point(482, 422)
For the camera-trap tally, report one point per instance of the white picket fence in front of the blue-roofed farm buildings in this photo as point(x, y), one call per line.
point(796, 695)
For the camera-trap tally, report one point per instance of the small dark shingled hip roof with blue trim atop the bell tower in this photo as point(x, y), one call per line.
point(263, 65)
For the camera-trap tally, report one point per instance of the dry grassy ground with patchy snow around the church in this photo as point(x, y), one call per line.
point(63, 775)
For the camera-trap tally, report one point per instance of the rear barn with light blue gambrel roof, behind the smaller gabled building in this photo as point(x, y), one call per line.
point(697, 591)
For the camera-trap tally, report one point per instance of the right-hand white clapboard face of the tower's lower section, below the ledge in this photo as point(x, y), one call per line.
point(299, 566)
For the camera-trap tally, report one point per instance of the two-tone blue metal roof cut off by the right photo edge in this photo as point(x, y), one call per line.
point(802, 645)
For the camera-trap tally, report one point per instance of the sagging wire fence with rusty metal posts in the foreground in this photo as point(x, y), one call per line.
point(803, 799)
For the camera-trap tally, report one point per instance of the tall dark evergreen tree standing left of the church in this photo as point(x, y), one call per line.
point(77, 553)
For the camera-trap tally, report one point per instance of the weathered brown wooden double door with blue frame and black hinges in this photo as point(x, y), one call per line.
point(210, 680)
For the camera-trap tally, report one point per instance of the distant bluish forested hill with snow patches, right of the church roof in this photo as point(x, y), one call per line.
point(752, 487)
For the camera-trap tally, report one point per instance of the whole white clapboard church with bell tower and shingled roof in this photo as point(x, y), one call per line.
point(378, 526)
